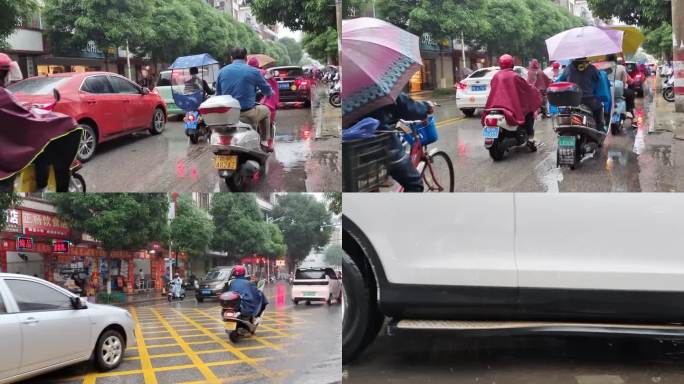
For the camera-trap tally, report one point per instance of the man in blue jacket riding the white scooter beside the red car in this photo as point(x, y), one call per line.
point(241, 81)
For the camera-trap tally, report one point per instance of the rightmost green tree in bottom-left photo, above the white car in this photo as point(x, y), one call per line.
point(305, 224)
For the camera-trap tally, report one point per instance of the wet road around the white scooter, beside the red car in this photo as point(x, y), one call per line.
point(168, 162)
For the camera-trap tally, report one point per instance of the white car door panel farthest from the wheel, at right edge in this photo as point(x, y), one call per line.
point(600, 241)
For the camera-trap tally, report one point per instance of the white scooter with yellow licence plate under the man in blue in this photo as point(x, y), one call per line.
point(238, 156)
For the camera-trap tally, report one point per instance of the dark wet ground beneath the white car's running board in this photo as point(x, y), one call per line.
point(440, 358)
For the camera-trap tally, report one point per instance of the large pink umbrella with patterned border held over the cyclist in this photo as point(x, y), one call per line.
point(377, 61)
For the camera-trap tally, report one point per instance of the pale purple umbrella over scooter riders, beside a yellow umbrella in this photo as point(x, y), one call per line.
point(584, 42)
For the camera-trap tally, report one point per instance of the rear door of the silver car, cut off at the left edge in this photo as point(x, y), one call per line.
point(10, 334)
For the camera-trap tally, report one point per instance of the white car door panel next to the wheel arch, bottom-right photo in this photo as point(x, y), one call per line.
point(464, 239)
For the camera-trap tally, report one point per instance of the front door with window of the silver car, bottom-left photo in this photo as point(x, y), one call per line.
point(52, 331)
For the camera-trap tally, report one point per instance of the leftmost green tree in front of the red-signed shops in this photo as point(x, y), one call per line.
point(126, 221)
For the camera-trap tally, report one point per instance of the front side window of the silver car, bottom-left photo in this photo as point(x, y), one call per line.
point(32, 296)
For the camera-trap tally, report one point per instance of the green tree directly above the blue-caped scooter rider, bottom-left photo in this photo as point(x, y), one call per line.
point(238, 224)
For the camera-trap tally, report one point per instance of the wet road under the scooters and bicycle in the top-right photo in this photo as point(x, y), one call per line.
point(634, 161)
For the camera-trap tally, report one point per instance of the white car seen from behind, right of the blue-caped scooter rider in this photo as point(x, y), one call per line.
point(316, 284)
